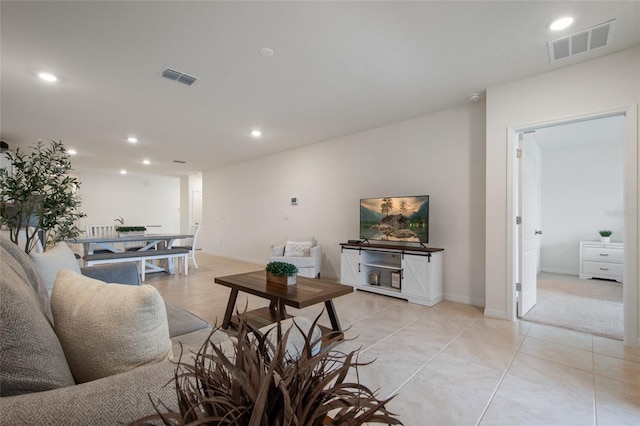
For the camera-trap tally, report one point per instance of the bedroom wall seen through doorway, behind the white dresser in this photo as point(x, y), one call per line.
point(592, 174)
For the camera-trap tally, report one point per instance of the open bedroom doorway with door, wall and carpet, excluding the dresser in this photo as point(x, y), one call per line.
point(571, 187)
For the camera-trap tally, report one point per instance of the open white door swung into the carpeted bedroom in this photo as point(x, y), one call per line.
point(528, 201)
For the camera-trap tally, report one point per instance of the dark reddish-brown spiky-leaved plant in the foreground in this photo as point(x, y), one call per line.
point(254, 380)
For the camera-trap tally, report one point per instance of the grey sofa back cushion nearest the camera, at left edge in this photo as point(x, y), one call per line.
point(31, 357)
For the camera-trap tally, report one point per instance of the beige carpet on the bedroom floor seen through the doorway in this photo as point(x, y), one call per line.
point(590, 306)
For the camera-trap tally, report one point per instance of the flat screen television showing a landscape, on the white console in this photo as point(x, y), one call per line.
point(401, 219)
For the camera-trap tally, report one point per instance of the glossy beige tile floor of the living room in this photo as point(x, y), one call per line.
point(448, 364)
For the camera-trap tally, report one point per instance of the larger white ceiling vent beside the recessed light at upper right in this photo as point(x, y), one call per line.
point(592, 38)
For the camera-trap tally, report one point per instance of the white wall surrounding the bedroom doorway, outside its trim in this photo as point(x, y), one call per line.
point(590, 88)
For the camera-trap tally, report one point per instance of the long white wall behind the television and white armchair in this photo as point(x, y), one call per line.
point(441, 155)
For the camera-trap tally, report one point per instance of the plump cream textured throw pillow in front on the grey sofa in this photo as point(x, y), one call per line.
point(107, 329)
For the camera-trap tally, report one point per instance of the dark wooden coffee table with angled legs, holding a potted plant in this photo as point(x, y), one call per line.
point(305, 293)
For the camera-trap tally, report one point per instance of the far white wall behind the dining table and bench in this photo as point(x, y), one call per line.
point(140, 200)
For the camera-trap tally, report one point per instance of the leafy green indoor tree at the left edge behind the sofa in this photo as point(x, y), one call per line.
point(38, 198)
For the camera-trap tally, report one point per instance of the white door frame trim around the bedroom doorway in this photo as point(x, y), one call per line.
point(631, 216)
